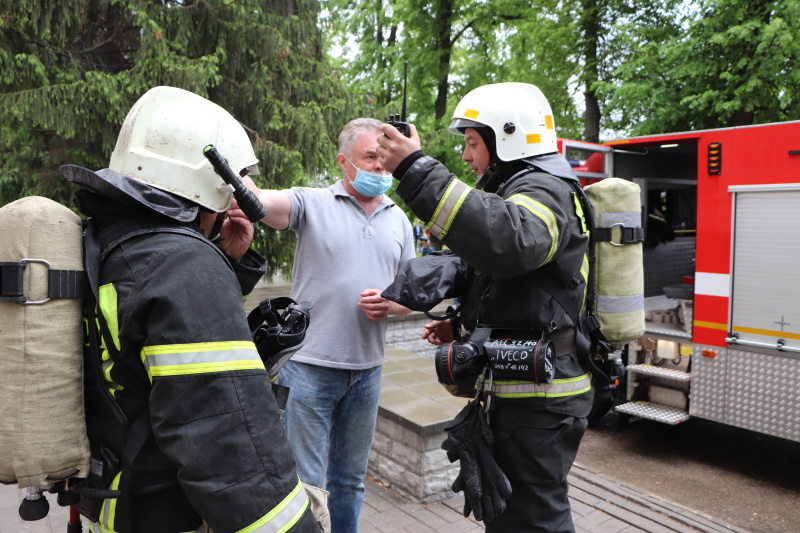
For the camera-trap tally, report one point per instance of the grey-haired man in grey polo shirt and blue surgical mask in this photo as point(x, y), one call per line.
point(350, 240)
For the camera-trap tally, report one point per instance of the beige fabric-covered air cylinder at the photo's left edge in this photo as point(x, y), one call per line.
point(42, 429)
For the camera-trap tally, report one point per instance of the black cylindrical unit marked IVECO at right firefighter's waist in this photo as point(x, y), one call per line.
point(459, 365)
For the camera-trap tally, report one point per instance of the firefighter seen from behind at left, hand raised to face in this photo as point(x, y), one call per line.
point(194, 438)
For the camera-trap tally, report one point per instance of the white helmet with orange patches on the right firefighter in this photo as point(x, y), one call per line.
point(518, 113)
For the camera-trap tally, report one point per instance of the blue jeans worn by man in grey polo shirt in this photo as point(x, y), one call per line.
point(332, 410)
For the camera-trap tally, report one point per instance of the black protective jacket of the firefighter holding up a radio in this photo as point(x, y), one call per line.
point(520, 237)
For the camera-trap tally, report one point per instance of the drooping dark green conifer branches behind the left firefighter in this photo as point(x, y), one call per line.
point(70, 71)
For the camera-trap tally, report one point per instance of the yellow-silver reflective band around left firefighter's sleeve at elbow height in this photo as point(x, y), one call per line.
point(199, 358)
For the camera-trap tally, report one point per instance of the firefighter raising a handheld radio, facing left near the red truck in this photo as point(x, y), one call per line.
point(520, 233)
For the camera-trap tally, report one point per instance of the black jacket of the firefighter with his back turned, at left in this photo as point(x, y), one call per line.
point(179, 351)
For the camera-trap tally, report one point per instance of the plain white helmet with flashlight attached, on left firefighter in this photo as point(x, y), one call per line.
point(162, 139)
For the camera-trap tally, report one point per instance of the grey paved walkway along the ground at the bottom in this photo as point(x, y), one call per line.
point(600, 504)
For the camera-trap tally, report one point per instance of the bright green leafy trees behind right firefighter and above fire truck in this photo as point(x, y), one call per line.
point(609, 67)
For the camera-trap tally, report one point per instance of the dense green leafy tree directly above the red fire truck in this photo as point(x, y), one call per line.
point(733, 64)
